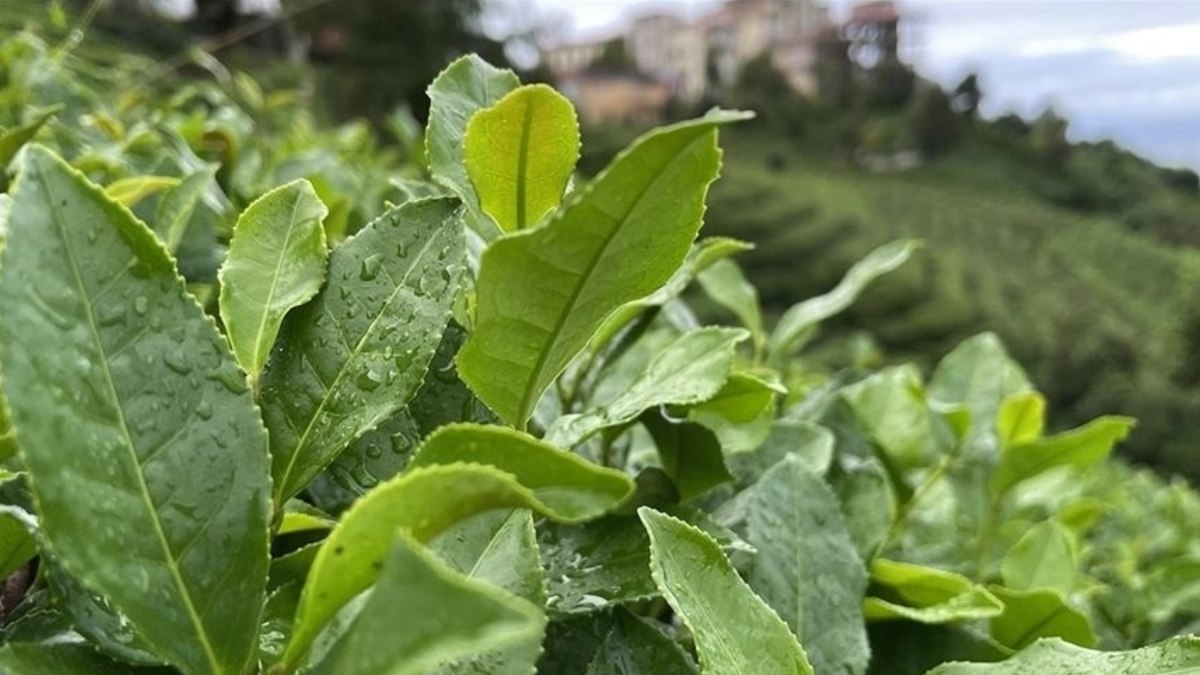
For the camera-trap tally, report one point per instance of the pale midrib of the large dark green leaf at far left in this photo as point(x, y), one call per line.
point(145, 493)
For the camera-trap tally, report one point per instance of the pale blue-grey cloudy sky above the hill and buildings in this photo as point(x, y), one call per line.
point(1127, 70)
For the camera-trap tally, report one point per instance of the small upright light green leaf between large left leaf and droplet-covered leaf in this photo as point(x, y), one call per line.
point(277, 262)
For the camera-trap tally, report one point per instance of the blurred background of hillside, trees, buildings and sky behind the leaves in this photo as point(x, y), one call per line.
point(1046, 152)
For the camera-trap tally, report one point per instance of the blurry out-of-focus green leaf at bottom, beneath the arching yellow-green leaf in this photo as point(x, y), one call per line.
point(423, 613)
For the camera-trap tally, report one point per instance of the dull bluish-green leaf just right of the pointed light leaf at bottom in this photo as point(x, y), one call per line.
point(807, 568)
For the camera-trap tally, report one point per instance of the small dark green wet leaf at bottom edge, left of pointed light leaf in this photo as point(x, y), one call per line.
point(635, 648)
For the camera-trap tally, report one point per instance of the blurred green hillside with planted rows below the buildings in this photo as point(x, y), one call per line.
point(1094, 297)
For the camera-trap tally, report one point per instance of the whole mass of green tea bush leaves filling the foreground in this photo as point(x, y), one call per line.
point(487, 434)
